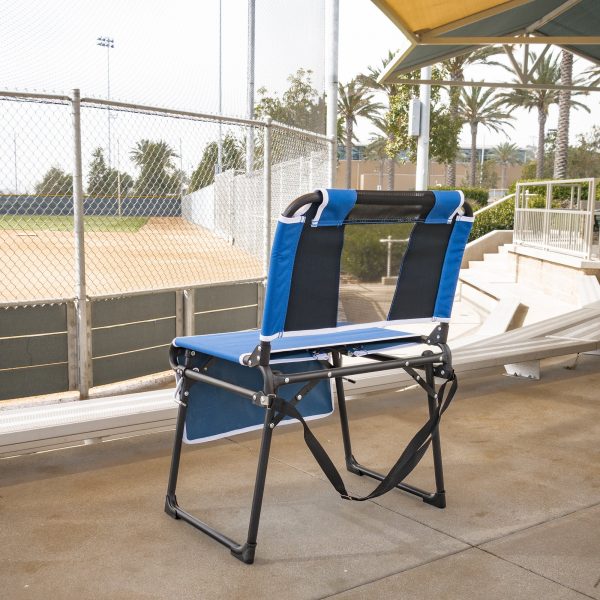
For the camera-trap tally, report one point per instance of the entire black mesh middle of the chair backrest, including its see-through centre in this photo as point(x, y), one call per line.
point(317, 297)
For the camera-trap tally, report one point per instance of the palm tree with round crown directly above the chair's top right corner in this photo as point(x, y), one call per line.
point(479, 107)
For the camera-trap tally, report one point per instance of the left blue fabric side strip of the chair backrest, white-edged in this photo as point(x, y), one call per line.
point(279, 279)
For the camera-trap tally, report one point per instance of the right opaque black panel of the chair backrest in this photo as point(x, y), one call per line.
point(420, 272)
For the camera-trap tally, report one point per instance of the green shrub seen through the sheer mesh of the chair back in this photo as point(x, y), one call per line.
point(365, 257)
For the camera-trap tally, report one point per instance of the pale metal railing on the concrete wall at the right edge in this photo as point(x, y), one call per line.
point(557, 216)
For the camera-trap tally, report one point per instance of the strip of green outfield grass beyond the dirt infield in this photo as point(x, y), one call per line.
point(50, 223)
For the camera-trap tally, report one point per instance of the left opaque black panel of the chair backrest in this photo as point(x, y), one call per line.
point(314, 293)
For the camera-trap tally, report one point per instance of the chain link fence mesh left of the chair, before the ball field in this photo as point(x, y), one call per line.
point(171, 199)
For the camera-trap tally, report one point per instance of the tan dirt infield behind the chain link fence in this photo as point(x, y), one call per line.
point(167, 252)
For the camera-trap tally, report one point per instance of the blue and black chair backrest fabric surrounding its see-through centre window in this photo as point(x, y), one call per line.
point(304, 274)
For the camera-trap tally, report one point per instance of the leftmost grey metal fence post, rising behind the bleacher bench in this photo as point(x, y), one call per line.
point(78, 230)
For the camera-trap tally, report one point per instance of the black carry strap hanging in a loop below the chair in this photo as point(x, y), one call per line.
point(408, 460)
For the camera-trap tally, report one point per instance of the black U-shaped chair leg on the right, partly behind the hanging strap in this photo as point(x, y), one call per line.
point(437, 498)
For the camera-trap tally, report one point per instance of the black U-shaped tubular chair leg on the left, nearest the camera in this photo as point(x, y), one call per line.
point(244, 552)
